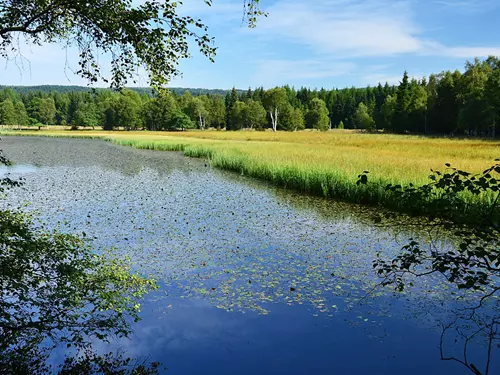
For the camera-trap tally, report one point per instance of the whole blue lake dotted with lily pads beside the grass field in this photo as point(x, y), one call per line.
point(254, 279)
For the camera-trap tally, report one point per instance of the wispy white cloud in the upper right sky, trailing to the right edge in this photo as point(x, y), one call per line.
point(353, 29)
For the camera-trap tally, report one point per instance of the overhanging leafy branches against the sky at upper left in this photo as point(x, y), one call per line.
point(152, 35)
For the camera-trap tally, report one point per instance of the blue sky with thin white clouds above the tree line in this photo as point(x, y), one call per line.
point(315, 43)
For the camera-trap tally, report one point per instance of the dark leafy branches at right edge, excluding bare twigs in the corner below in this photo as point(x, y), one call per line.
point(473, 262)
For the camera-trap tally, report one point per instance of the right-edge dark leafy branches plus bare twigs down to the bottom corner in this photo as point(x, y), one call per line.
point(469, 260)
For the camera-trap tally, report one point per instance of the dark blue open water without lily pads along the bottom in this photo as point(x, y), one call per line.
point(193, 337)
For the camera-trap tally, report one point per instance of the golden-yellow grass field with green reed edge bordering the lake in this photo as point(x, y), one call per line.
point(325, 164)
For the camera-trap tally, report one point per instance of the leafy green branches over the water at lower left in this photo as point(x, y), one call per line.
point(56, 290)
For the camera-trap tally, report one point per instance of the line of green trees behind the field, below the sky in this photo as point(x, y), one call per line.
point(465, 103)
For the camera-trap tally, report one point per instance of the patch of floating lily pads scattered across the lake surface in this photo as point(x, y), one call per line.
point(214, 236)
